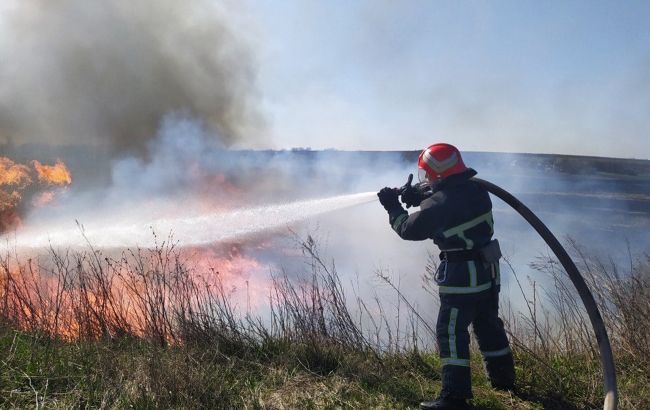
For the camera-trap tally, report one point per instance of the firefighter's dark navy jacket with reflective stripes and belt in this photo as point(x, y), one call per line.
point(457, 216)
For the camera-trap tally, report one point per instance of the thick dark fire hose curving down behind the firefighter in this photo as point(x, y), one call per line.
point(605, 348)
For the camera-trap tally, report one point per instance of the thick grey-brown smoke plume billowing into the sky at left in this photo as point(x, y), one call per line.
point(106, 72)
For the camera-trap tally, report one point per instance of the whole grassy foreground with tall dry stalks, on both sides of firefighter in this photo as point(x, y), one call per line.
point(143, 331)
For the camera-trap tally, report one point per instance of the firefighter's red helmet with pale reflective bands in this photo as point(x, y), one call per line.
point(438, 161)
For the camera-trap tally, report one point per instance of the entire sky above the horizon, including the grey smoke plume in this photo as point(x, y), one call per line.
point(564, 77)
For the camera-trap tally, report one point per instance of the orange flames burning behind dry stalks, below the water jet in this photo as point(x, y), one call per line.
point(92, 302)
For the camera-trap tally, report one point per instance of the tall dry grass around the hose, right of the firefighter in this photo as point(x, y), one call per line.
point(556, 346)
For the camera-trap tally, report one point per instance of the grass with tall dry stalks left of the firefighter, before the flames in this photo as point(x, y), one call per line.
point(150, 331)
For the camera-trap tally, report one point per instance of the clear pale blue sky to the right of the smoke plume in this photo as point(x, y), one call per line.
point(519, 76)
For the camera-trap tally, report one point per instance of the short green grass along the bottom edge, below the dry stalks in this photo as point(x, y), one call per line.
point(134, 373)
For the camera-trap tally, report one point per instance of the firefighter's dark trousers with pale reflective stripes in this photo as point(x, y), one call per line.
point(480, 310)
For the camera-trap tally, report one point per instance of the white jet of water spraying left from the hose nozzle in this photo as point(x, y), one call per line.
point(197, 230)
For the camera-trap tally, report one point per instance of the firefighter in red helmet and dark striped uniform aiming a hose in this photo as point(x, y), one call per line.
point(457, 214)
